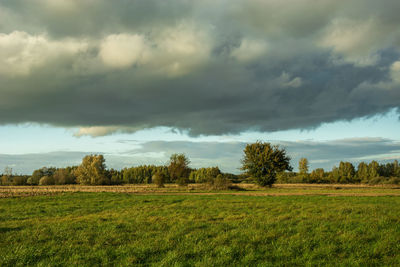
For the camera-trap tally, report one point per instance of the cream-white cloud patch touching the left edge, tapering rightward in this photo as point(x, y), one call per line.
point(21, 52)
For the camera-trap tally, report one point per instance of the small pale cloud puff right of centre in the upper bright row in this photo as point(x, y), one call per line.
point(249, 50)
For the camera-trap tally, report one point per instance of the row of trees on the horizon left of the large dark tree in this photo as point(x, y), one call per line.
point(93, 171)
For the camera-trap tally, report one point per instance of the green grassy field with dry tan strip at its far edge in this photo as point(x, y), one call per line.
point(143, 225)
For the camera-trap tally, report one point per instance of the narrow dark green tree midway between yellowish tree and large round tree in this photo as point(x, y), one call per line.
point(178, 168)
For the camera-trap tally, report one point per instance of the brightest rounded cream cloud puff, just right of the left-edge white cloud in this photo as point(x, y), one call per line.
point(123, 50)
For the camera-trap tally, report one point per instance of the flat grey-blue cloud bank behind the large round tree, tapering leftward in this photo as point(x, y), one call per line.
point(320, 154)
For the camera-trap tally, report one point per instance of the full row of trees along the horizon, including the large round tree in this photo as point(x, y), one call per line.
point(262, 163)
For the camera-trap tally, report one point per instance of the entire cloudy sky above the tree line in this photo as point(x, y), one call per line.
point(140, 80)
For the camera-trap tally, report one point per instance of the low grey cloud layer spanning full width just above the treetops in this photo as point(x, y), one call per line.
point(226, 155)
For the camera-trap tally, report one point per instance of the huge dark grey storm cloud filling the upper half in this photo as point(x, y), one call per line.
point(212, 67)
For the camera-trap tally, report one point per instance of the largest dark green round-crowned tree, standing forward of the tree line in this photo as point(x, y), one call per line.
point(263, 161)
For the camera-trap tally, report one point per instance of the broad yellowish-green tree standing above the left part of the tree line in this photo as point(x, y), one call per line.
point(92, 171)
